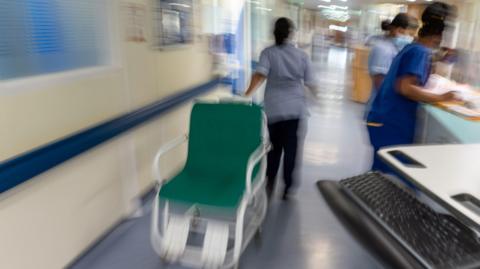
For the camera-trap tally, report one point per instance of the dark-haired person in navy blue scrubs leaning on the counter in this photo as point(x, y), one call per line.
point(392, 118)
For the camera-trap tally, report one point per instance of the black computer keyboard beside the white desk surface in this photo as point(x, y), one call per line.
point(437, 240)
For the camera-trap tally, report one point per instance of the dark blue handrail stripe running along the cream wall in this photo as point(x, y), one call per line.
point(28, 165)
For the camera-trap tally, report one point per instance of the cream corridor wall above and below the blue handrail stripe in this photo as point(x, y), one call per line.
point(48, 221)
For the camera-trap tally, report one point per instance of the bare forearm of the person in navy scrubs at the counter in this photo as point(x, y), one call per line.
point(408, 87)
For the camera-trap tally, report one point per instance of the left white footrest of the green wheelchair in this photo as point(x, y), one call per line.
point(176, 236)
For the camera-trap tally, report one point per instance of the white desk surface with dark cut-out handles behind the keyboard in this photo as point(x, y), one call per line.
point(449, 170)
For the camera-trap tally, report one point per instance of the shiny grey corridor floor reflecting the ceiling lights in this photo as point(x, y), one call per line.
point(301, 233)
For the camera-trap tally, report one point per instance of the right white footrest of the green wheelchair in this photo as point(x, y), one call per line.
point(215, 245)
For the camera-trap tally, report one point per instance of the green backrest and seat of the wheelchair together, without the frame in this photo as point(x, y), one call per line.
point(221, 140)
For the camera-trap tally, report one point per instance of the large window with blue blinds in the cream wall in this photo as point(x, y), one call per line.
point(45, 36)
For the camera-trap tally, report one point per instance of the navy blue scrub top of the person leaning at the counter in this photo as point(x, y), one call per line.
point(392, 109)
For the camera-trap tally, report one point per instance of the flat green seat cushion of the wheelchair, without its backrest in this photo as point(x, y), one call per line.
point(223, 191)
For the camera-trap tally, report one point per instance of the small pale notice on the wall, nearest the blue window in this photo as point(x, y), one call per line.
point(135, 22)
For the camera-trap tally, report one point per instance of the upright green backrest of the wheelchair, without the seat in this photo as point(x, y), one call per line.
point(222, 138)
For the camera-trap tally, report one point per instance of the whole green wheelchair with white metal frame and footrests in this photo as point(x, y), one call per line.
point(224, 172)
